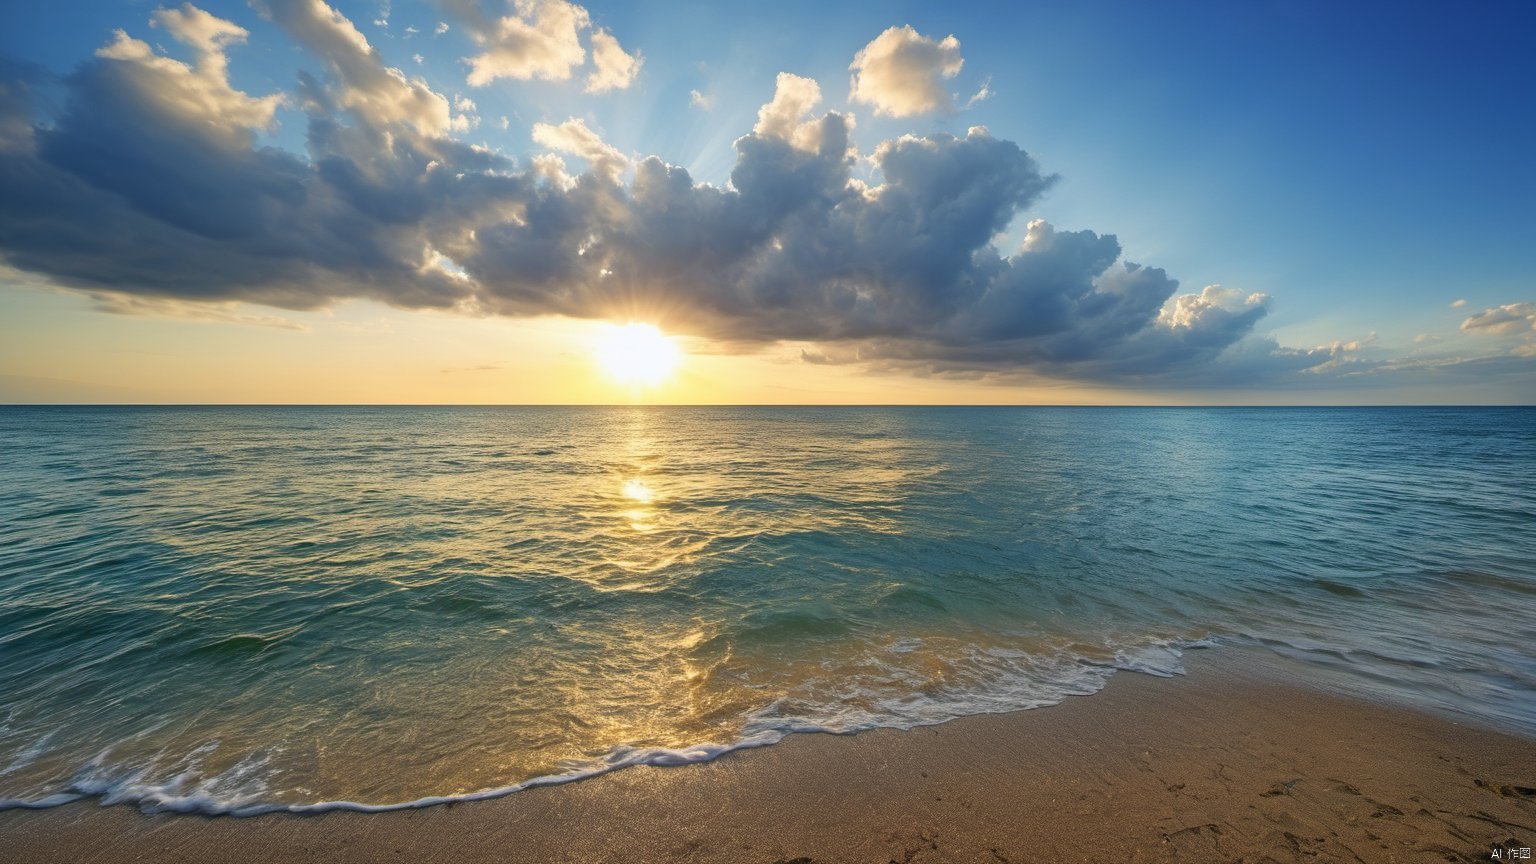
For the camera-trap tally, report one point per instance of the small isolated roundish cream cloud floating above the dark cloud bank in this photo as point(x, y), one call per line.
point(901, 73)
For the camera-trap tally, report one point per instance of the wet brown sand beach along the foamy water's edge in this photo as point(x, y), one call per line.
point(1240, 760)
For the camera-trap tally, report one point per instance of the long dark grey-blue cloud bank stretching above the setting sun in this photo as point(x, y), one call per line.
point(151, 182)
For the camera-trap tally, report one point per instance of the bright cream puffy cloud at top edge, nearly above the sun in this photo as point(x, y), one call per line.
point(540, 41)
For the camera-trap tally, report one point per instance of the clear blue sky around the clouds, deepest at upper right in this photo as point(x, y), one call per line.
point(1362, 167)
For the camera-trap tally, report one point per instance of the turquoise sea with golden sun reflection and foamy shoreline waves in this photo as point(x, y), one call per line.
point(233, 610)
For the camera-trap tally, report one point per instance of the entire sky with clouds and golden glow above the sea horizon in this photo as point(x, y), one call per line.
point(463, 202)
